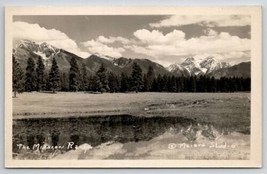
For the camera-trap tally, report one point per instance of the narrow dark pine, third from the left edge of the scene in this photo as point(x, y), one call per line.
point(40, 79)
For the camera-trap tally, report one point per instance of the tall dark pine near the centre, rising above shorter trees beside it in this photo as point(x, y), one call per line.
point(136, 78)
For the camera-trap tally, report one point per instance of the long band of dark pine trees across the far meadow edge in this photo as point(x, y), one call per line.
point(37, 78)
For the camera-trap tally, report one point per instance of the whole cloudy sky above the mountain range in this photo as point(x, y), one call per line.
point(163, 39)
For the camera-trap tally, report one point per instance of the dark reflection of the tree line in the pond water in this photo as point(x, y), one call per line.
point(93, 130)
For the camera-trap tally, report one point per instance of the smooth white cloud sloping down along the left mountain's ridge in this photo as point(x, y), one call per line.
point(38, 34)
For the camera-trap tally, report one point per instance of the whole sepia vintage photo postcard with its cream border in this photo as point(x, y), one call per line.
point(133, 87)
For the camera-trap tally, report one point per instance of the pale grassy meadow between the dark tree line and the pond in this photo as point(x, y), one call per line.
point(229, 109)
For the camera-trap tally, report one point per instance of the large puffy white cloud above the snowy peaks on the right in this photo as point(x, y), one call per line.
point(156, 44)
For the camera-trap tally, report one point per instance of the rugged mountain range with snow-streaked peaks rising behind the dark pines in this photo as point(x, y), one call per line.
point(190, 66)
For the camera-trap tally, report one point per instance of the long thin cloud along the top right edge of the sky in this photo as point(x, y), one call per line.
point(211, 21)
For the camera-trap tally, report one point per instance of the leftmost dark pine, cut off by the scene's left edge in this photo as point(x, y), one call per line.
point(17, 77)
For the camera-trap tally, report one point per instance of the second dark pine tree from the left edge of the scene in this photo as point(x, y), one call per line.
point(30, 78)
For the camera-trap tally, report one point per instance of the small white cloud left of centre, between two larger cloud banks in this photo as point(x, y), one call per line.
point(95, 46)
